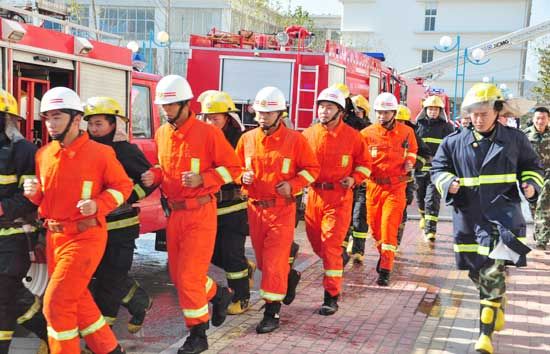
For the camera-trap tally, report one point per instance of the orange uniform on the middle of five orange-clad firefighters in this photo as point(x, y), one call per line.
point(283, 156)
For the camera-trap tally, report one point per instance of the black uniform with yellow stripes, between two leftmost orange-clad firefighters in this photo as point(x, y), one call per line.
point(112, 286)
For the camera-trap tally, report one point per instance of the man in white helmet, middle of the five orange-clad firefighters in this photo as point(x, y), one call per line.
point(278, 163)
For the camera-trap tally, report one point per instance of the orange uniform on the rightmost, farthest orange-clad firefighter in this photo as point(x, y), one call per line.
point(386, 199)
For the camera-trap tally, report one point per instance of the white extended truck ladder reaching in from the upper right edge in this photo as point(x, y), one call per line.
point(437, 67)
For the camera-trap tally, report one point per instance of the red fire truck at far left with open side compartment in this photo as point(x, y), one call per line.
point(34, 59)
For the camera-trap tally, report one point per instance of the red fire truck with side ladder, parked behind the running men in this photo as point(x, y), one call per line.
point(241, 64)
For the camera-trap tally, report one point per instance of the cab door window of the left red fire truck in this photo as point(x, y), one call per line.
point(141, 112)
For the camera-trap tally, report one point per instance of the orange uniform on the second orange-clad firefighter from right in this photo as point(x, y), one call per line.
point(341, 153)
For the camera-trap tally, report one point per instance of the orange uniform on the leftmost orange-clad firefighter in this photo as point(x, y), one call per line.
point(83, 170)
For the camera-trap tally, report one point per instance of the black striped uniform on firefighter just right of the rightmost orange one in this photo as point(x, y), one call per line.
point(432, 132)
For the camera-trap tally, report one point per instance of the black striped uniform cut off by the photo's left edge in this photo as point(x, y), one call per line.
point(16, 163)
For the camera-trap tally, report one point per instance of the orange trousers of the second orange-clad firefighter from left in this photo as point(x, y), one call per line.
point(191, 237)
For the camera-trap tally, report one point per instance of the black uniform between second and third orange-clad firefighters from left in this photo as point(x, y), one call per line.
point(229, 250)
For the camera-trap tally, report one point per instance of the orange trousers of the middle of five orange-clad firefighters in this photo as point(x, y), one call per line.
point(271, 241)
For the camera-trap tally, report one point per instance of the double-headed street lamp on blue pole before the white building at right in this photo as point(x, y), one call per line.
point(477, 55)
